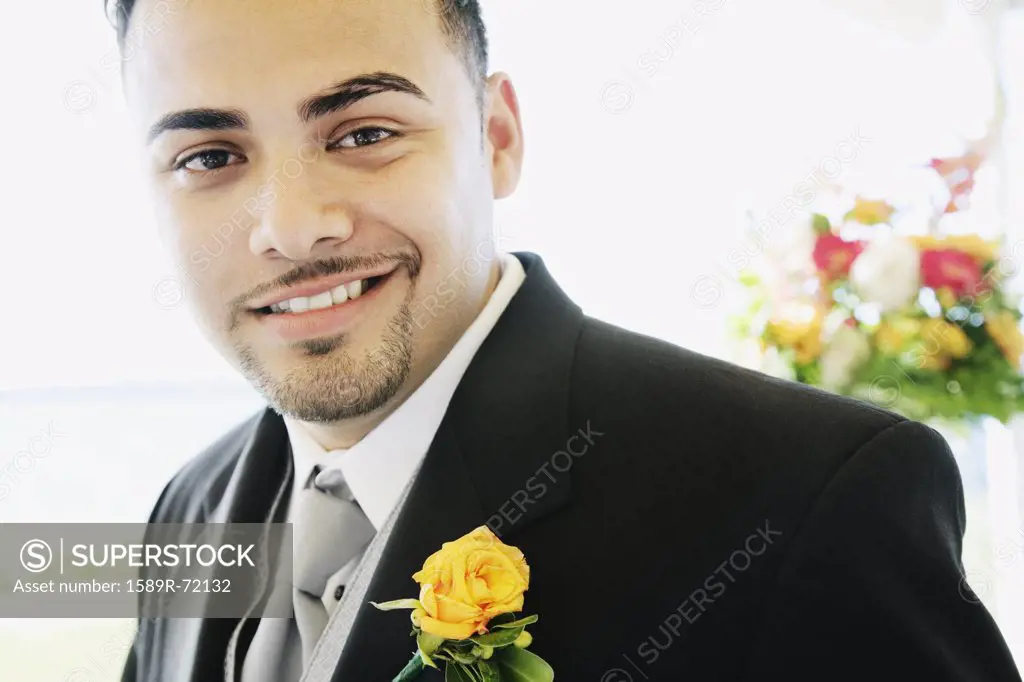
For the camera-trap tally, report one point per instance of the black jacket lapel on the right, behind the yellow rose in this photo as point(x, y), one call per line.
point(505, 421)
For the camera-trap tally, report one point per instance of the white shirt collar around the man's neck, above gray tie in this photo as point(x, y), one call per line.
point(378, 467)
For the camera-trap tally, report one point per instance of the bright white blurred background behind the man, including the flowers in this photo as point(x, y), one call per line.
point(757, 165)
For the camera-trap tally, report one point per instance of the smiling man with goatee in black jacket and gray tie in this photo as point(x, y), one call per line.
point(325, 174)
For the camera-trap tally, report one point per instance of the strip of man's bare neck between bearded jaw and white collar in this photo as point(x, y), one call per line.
point(348, 433)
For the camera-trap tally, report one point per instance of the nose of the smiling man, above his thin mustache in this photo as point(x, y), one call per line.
point(298, 223)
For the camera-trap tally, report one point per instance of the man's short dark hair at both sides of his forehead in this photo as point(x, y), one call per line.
point(461, 24)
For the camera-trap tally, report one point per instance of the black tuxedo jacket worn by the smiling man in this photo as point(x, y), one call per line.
point(684, 518)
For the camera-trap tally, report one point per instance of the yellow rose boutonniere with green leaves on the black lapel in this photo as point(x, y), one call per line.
point(471, 590)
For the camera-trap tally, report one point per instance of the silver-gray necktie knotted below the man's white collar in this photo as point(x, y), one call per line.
point(331, 532)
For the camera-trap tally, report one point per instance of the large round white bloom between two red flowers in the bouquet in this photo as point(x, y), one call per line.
point(888, 273)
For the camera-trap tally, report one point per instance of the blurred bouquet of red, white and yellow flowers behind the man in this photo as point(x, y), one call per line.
point(924, 325)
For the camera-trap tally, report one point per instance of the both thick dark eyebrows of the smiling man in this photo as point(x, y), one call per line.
point(335, 99)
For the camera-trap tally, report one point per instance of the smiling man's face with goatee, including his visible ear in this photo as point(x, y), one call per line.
point(330, 250)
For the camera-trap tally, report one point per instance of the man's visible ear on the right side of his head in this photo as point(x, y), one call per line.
point(504, 130)
